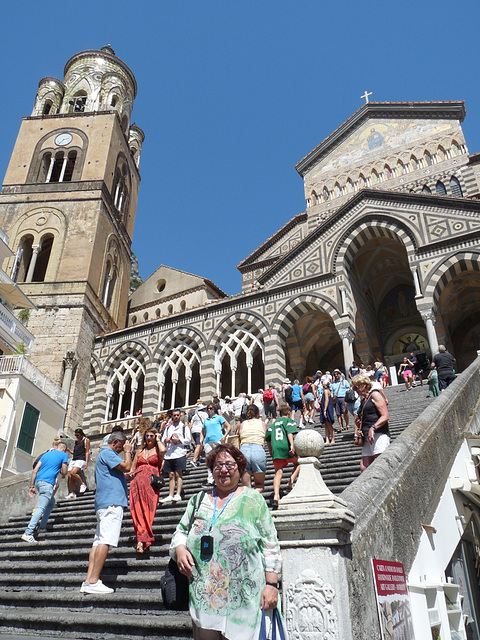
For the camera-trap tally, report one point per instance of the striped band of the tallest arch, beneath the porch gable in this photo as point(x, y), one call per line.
point(359, 234)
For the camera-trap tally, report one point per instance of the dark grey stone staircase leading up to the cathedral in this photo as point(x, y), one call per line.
point(39, 584)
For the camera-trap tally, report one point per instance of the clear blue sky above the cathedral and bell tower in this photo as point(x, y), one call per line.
point(232, 94)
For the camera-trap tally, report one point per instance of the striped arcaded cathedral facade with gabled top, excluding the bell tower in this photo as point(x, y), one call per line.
point(384, 260)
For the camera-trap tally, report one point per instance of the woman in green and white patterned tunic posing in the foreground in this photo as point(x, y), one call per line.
point(231, 554)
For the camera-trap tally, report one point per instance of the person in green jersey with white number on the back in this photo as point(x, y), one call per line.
point(279, 439)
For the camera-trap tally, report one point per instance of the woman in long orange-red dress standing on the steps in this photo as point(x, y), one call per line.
point(144, 497)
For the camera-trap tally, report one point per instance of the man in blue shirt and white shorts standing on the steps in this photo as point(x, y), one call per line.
point(110, 498)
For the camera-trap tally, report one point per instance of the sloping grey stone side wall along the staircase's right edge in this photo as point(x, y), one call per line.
point(400, 491)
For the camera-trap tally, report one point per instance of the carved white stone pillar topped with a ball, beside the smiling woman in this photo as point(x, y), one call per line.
point(314, 527)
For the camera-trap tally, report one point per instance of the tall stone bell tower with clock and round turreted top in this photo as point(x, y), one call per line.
point(68, 206)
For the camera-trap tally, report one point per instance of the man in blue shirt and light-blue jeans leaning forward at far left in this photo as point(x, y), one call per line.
point(44, 476)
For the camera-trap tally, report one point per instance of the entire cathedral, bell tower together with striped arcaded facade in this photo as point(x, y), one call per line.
point(383, 261)
